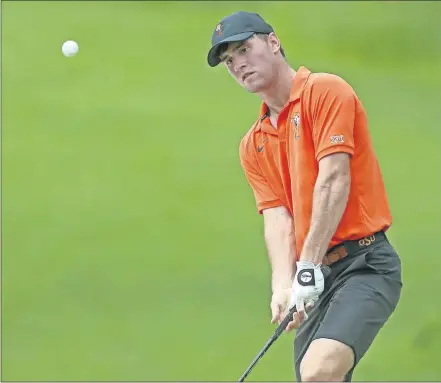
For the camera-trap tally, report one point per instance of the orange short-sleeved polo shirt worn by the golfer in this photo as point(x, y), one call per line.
point(323, 116)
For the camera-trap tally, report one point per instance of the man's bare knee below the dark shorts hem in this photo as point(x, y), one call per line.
point(326, 361)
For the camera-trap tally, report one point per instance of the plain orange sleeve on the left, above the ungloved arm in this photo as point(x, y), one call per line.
point(263, 194)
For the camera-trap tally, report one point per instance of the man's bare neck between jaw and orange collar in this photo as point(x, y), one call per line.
point(277, 95)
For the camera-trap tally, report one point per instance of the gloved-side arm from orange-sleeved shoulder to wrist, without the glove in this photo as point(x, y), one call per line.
point(333, 113)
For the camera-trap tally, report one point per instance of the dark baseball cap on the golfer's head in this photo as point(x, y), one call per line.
point(238, 26)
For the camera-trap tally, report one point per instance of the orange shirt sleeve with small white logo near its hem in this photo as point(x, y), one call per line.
point(333, 116)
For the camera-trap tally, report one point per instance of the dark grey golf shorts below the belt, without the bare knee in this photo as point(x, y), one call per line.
point(360, 294)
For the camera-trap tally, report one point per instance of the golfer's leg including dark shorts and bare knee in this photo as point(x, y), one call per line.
point(329, 348)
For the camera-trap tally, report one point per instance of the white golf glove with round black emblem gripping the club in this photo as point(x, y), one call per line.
point(307, 287)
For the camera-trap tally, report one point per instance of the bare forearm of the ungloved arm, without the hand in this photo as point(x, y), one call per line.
point(281, 245)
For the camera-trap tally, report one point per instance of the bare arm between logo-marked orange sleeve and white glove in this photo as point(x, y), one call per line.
point(330, 197)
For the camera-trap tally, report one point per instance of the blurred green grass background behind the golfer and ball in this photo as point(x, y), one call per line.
point(131, 245)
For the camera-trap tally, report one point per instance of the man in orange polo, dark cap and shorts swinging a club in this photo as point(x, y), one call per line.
point(312, 168)
